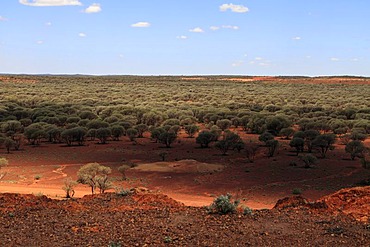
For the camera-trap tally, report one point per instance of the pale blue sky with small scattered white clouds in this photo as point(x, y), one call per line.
point(185, 37)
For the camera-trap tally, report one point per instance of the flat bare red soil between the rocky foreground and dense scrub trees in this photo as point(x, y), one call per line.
point(258, 185)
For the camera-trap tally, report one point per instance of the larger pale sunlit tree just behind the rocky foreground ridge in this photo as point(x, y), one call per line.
point(94, 175)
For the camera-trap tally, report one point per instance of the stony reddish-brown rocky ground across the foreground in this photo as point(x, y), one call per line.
point(147, 219)
